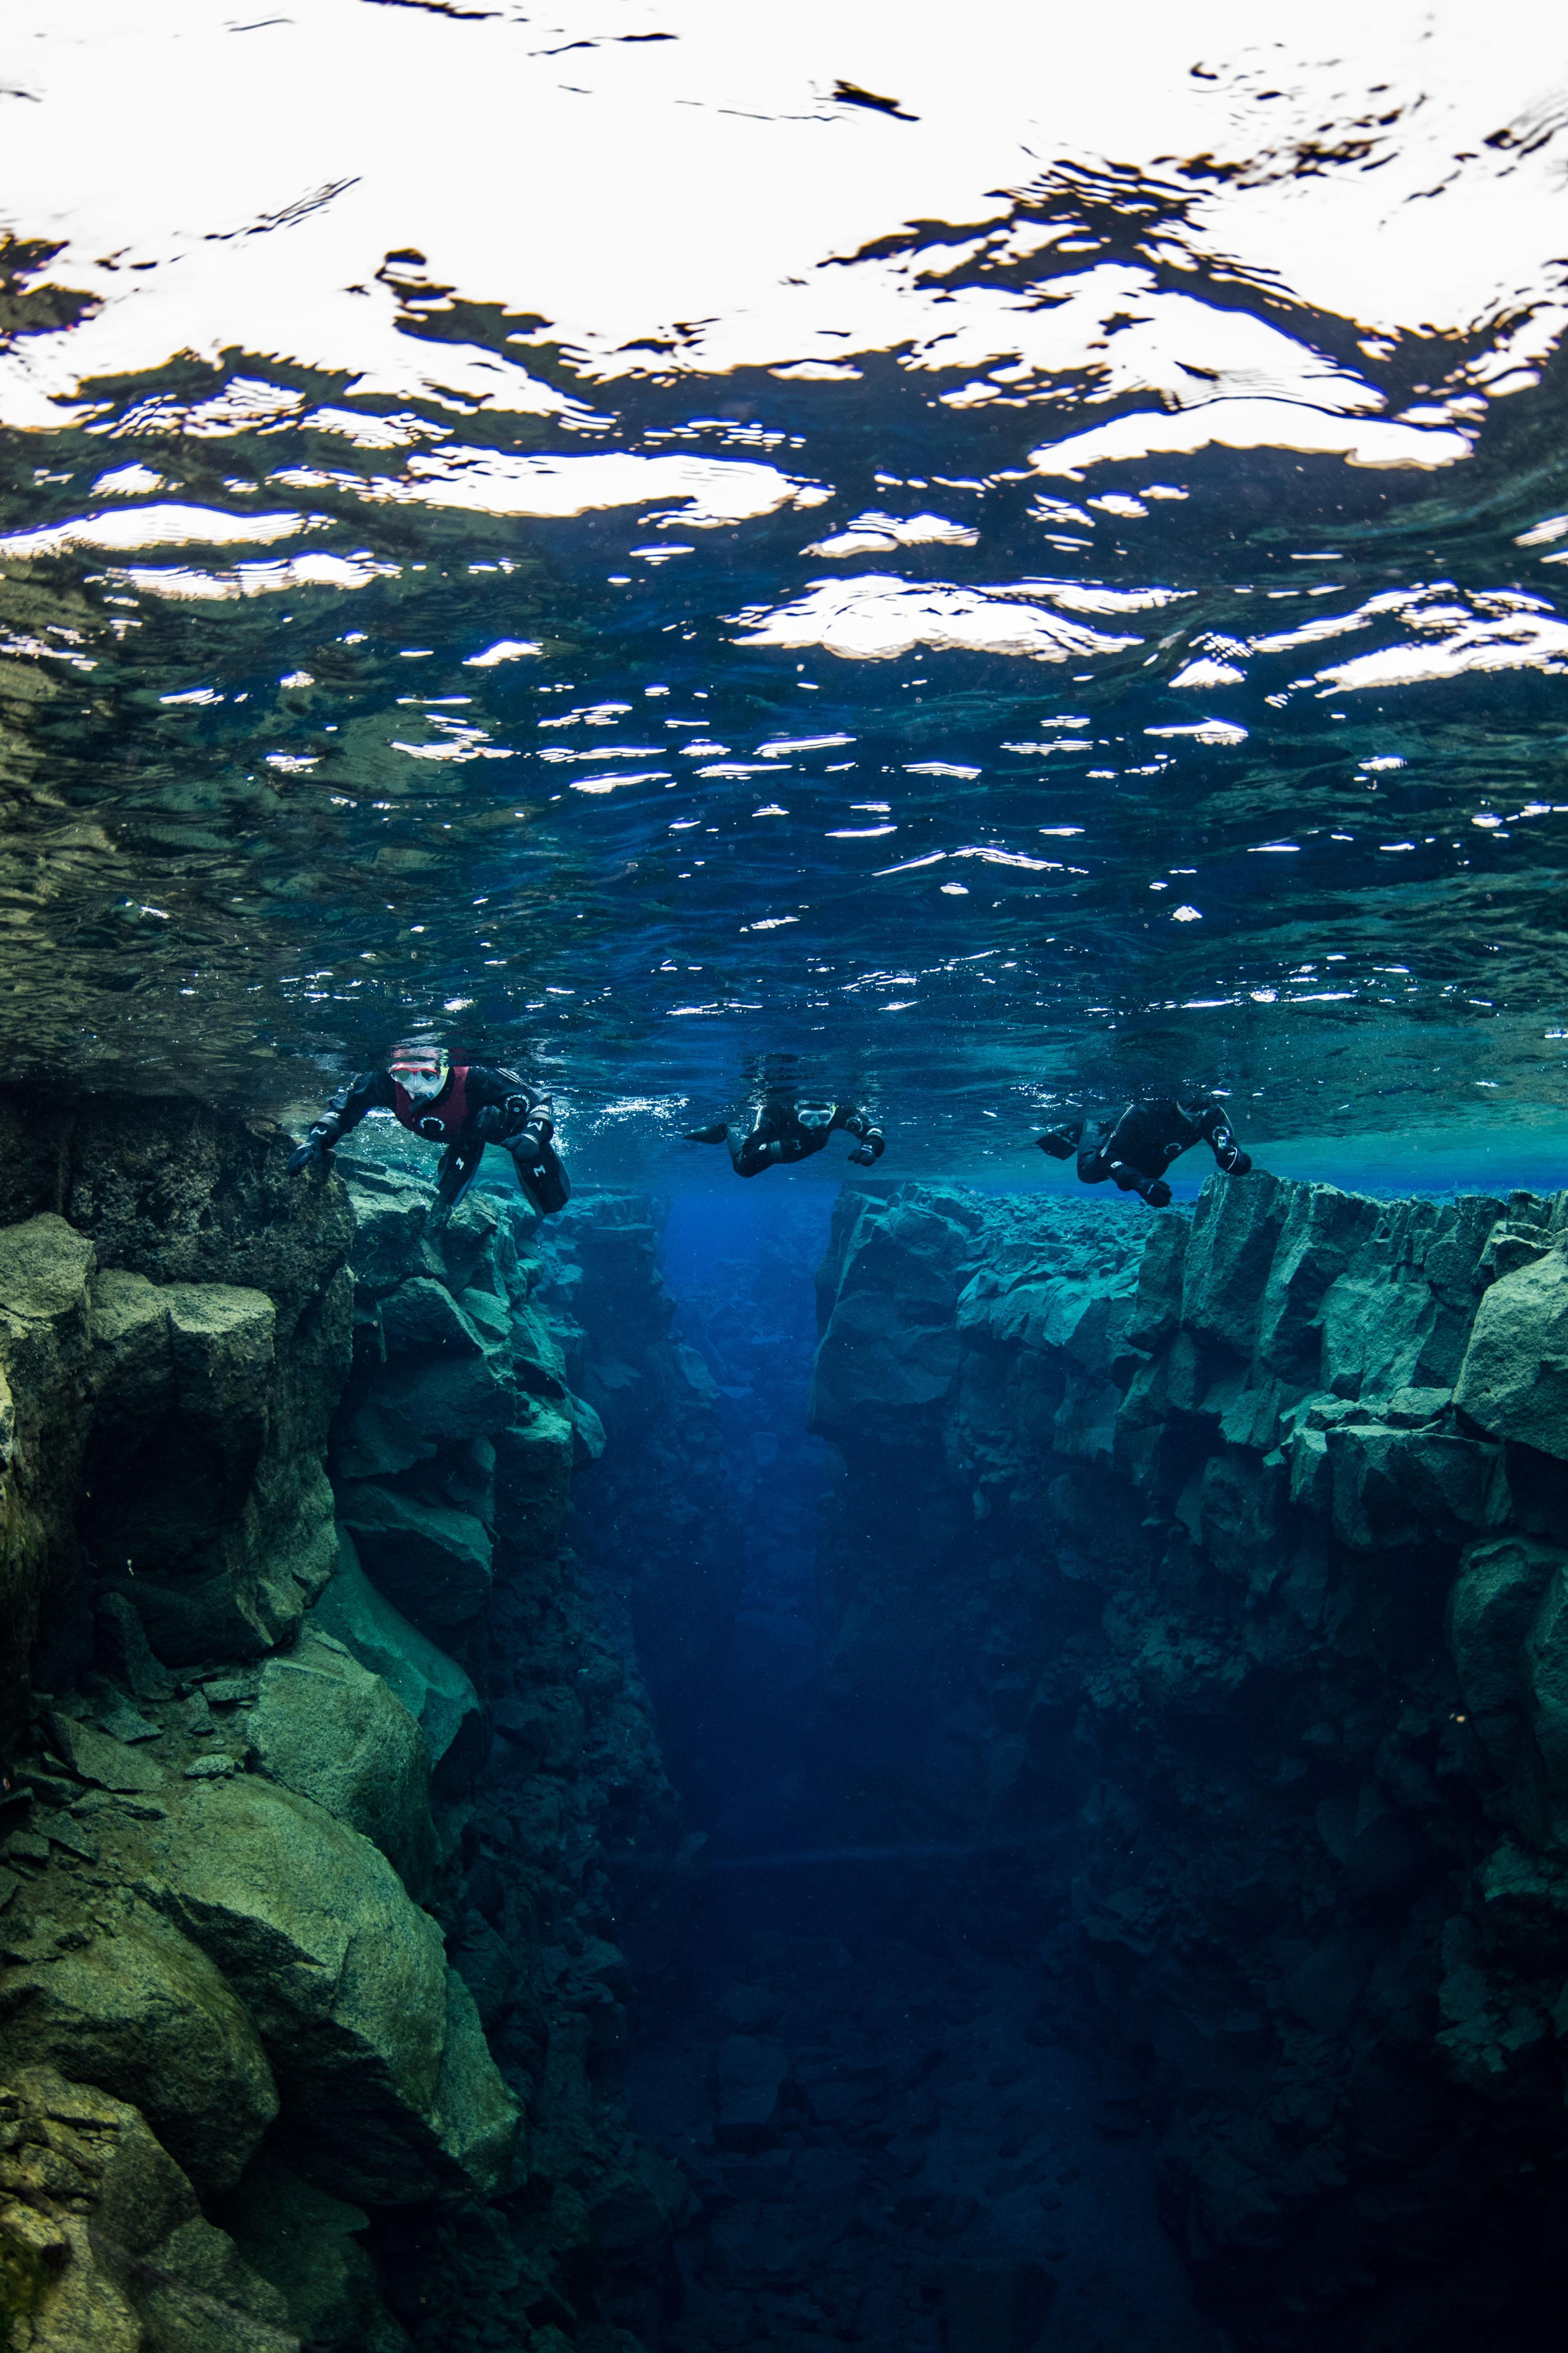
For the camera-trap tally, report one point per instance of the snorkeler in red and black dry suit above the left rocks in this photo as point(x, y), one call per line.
point(462, 1107)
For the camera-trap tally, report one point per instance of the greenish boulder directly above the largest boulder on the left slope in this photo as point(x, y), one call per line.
point(340, 1735)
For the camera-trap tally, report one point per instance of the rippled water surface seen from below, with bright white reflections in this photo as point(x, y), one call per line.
point(989, 559)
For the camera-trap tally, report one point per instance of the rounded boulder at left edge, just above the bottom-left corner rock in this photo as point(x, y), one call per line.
point(145, 2015)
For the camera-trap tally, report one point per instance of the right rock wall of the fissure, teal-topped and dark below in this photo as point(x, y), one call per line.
point(1212, 1580)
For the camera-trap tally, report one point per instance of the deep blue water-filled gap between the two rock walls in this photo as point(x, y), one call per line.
point(894, 2135)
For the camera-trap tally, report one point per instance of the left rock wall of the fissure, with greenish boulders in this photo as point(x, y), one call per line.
point(311, 2011)
